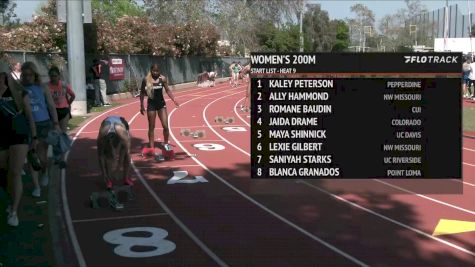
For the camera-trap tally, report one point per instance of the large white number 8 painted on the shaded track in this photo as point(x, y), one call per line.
point(155, 242)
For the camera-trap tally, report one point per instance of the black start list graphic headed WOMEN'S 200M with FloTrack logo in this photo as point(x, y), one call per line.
point(356, 116)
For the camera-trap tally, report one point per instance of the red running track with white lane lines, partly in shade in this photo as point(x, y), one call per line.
point(202, 209)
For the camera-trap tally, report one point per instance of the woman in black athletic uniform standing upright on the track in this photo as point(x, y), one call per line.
point(152, 86)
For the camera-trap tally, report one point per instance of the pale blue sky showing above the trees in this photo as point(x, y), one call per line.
point(337, 9)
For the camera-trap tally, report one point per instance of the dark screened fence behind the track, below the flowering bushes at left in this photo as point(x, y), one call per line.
point(177, 70)
